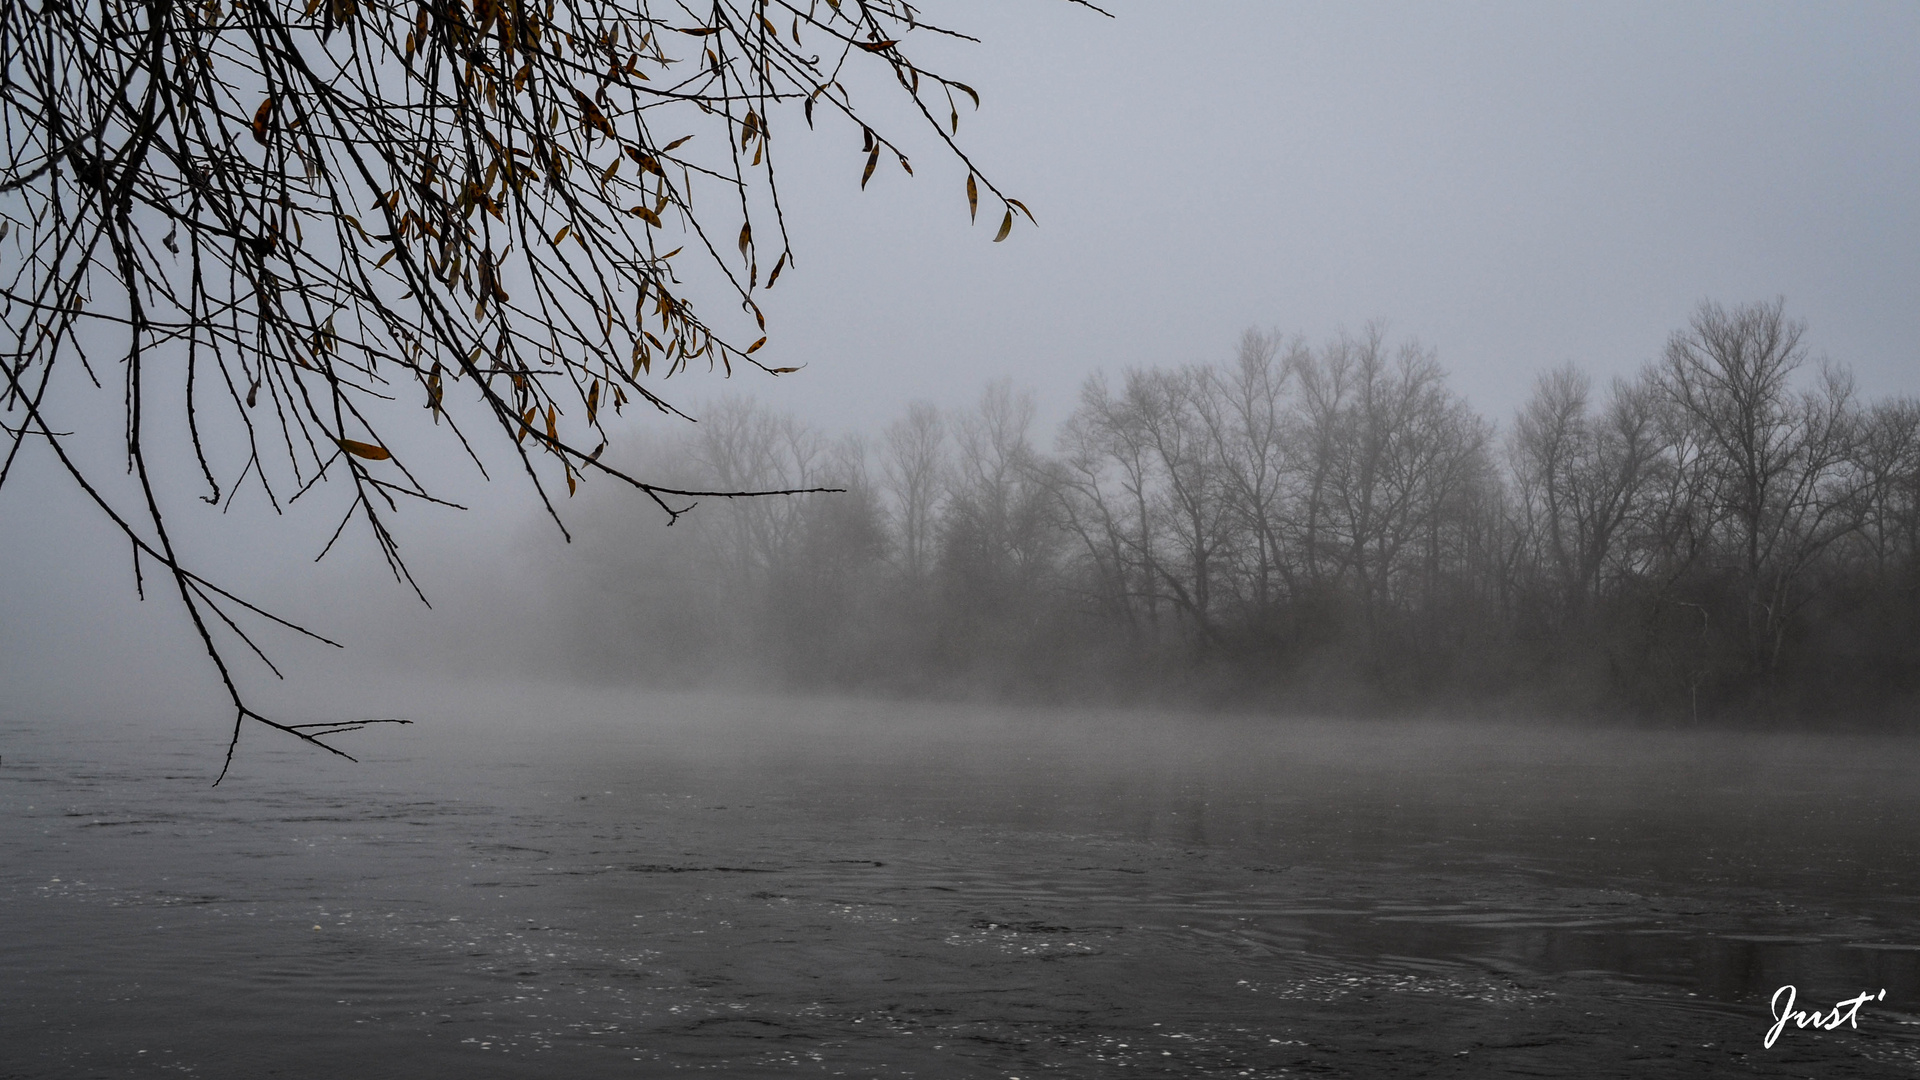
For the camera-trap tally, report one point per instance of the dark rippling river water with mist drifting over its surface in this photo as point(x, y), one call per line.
point(650, 885)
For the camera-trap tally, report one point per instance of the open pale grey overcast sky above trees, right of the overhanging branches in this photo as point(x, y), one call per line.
point(1518, 185)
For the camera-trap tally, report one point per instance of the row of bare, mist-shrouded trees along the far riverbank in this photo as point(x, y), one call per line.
point(1731, 535)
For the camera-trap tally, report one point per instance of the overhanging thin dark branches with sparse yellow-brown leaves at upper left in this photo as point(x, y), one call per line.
point(299, 212)
